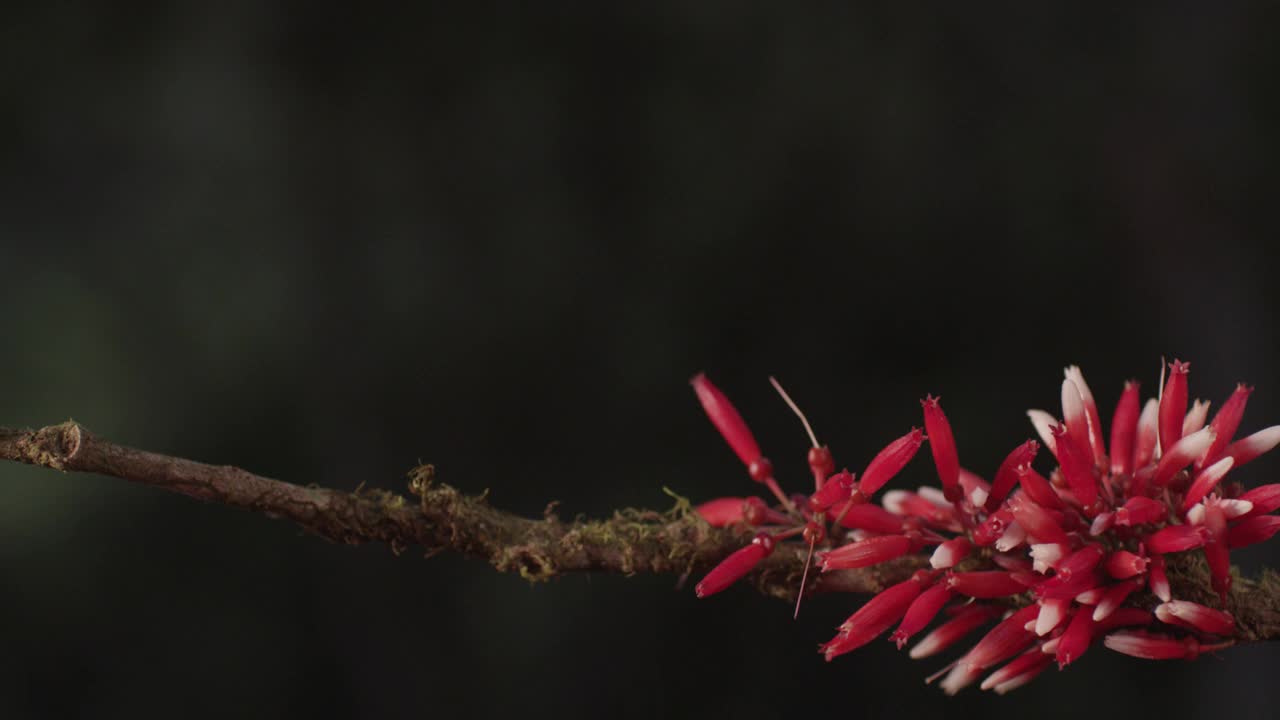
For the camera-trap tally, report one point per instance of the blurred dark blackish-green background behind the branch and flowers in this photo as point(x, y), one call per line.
point(324, 245)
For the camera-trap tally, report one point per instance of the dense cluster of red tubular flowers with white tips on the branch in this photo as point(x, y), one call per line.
point(1057, 562)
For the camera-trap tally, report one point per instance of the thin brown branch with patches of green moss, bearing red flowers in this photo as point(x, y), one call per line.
point(438, 518)
